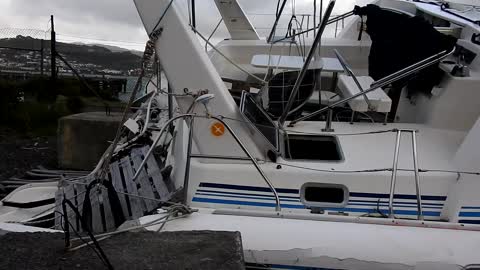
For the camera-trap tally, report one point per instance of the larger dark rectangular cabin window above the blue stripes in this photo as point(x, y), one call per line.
point(323, 147)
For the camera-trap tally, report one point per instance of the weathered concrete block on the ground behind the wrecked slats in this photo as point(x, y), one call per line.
point(83, 138)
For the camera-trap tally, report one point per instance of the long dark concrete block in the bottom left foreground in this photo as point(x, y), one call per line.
point(128, 251)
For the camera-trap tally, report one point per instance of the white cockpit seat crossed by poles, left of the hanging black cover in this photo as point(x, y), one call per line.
point(378, 98)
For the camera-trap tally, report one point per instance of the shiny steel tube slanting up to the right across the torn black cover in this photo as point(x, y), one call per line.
point(380, 83)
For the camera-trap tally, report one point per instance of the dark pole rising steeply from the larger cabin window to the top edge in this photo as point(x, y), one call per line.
point(306, 64)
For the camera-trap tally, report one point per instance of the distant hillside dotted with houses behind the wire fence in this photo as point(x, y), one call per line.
point(89, 59)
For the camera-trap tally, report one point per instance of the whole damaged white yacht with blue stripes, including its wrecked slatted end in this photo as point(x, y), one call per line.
point(306, 188)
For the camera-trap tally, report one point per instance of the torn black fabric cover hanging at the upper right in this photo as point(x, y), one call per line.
point(398, 41)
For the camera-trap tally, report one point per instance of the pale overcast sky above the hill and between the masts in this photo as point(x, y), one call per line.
point(116, 22)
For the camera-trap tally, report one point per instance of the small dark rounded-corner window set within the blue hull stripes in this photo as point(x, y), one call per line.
point(322, 195)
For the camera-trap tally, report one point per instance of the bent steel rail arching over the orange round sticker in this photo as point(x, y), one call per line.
point(234, 135)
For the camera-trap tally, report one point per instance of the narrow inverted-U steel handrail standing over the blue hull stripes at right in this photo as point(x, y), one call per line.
point(415, 168)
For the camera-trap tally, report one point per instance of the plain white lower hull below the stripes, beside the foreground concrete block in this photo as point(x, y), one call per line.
point(295, 243)
